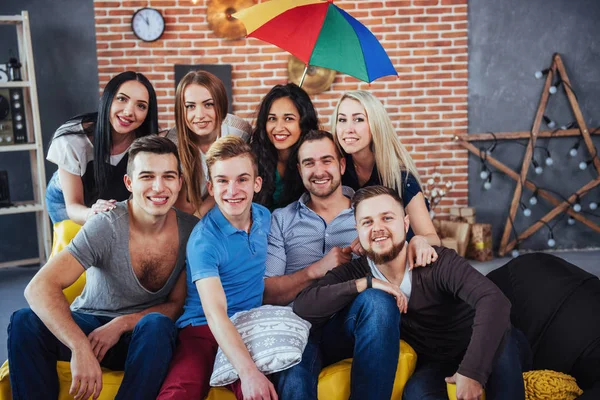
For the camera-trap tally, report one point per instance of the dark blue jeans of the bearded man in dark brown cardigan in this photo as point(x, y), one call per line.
point(505, 381)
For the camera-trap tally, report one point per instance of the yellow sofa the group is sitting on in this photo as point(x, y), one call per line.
point(334, 381)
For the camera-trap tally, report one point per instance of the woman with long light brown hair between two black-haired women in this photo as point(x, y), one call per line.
point(200, 119)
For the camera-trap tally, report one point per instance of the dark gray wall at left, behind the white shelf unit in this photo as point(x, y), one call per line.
point(64, 47)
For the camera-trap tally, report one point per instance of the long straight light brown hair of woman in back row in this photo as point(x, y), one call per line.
point(189, 154)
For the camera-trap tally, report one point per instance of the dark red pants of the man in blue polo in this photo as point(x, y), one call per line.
point(192, 365)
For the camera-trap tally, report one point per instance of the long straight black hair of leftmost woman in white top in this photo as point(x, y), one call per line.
point(103, 130)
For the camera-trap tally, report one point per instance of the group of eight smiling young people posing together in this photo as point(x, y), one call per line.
point(177, 236)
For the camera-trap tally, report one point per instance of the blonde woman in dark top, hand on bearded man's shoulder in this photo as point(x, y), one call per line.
point(375, 156)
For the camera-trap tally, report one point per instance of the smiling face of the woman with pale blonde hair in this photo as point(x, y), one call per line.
point(352, 127)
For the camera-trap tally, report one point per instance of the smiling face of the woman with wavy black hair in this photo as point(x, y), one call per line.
point(283, 124)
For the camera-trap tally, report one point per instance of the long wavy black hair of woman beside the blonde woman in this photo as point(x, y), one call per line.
point(266, 152)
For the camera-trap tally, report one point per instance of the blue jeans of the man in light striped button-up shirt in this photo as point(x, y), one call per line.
point(368, 330)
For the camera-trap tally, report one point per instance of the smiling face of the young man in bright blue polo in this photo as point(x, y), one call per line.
point(233, 184)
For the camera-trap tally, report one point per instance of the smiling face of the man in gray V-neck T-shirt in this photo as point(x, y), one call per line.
point(154, 182)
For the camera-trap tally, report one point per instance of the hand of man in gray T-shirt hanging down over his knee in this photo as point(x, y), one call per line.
point(87, 374)
